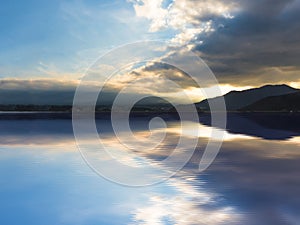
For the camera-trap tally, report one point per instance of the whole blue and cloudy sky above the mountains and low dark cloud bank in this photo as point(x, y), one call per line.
point(49, 45)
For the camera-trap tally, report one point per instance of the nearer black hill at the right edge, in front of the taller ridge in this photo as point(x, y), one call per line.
point(286, 103)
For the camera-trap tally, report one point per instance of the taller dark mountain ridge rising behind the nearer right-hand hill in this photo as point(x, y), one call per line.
point(236, 100)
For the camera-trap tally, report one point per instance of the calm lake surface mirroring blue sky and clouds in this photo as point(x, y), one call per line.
point(254, 180)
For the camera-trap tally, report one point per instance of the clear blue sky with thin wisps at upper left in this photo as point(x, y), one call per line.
point(63, 36)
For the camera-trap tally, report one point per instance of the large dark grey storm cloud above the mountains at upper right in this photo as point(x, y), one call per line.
point(264, 35)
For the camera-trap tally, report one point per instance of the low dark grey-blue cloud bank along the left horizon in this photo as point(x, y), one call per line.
point(44, 92)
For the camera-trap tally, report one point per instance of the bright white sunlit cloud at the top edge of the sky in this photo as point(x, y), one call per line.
point(189, 17)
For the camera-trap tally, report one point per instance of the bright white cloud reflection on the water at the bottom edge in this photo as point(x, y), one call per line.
point(187, 204)
